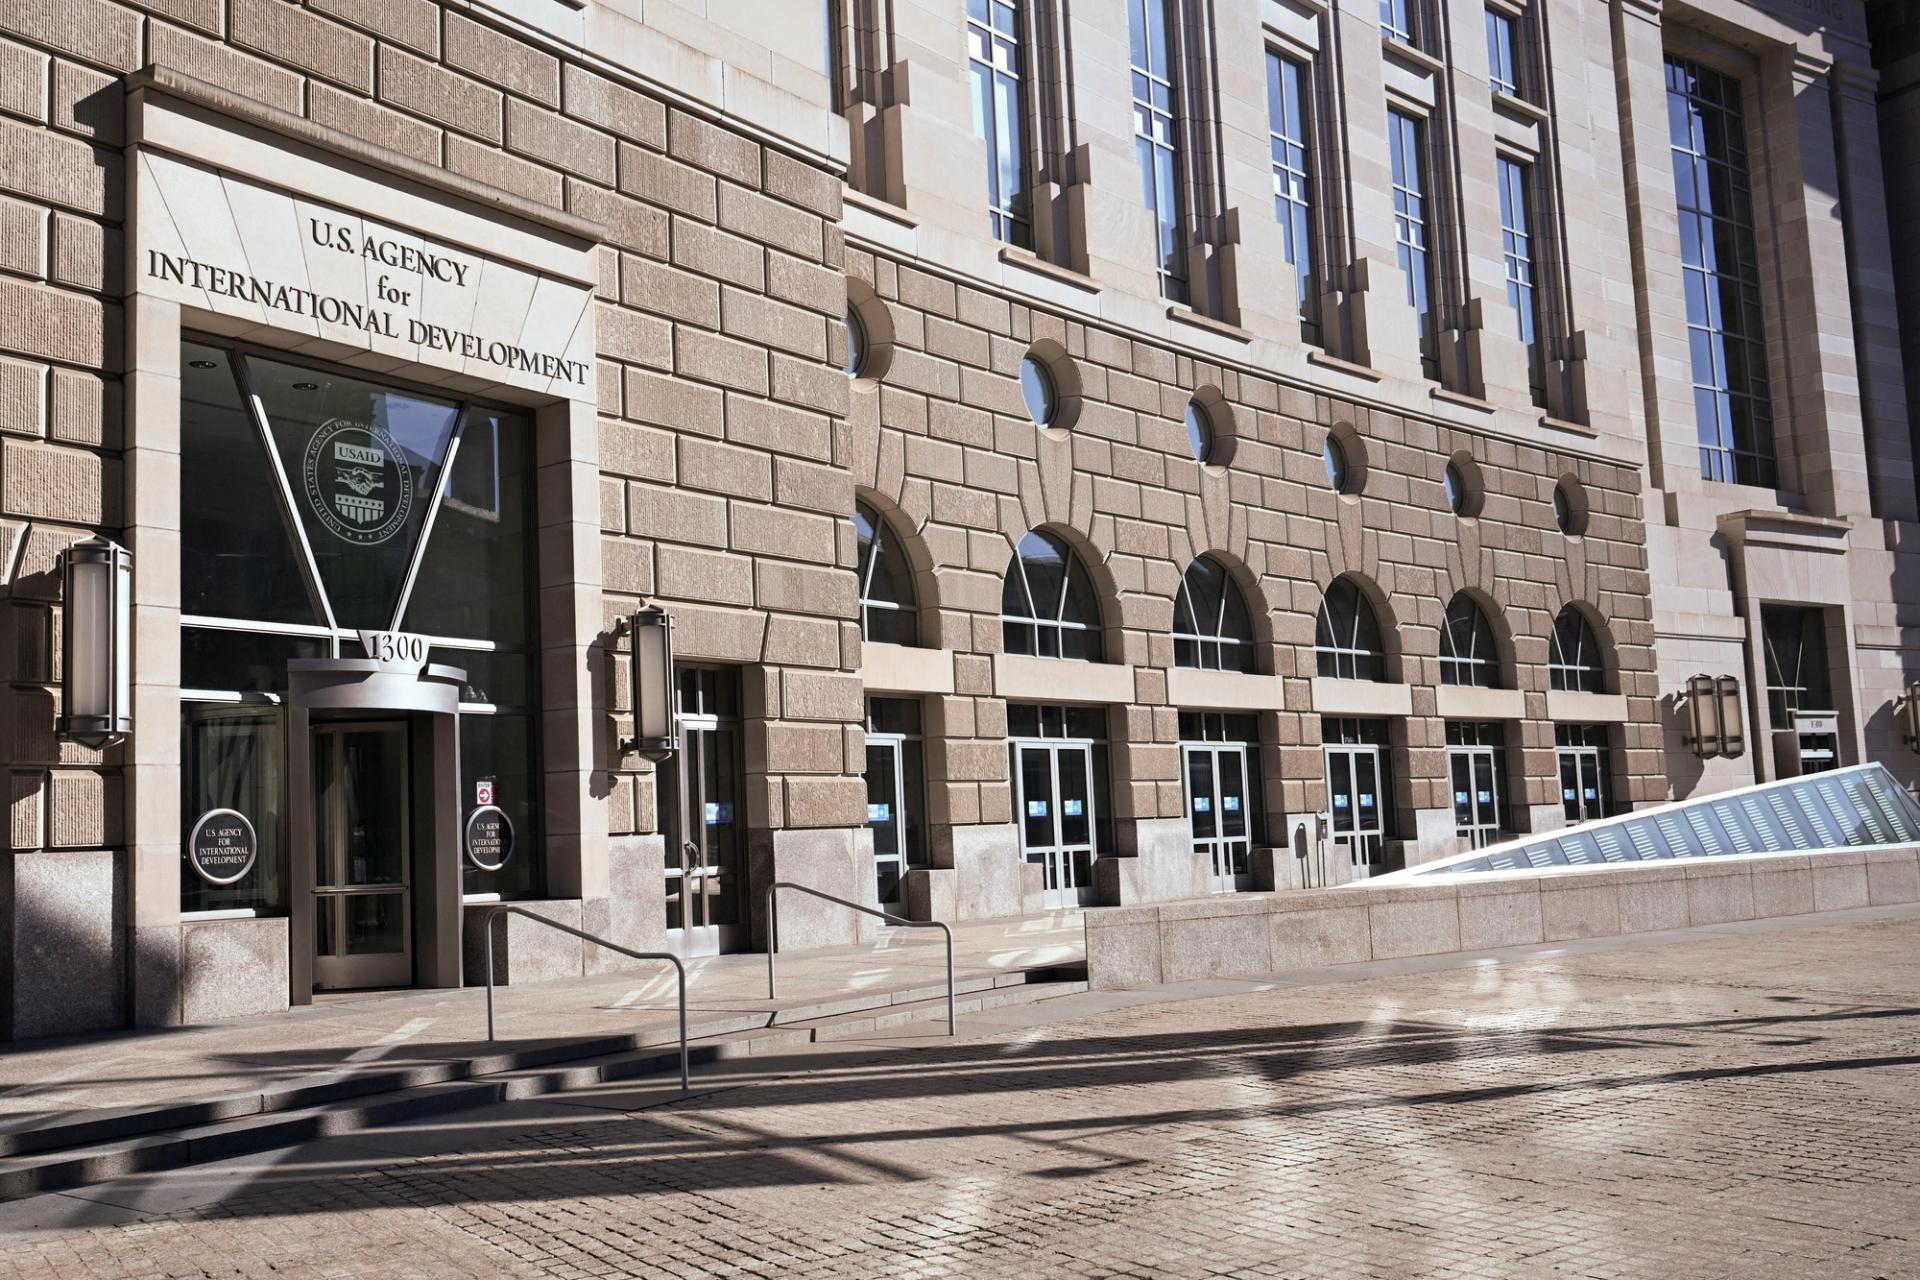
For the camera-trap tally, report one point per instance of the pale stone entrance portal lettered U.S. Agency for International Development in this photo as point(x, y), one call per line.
point(364, 410)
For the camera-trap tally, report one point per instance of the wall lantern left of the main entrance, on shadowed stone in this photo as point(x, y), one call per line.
point(97, 652)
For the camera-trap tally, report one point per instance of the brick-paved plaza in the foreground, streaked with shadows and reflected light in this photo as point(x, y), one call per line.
point(1735, 1104)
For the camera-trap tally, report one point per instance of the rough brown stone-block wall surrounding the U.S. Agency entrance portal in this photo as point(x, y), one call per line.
point(721, 283)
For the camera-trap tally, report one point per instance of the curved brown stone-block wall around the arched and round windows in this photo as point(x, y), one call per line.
point(944, 446)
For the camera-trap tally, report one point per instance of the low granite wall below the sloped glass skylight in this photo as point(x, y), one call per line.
point(1255, 936)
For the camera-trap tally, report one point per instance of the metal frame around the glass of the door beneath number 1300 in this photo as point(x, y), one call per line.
point(385, 968)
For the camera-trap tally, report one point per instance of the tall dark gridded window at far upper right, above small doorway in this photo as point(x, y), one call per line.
point(1721, 268)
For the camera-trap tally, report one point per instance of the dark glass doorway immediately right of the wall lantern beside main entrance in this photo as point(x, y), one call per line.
point(708, 838)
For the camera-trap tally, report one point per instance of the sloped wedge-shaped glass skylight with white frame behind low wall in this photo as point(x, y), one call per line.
point(1819, 815)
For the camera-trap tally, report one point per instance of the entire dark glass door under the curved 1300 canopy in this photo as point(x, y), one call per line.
point(362, 866)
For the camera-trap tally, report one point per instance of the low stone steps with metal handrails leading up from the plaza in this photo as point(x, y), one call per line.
point(47, 1152)
